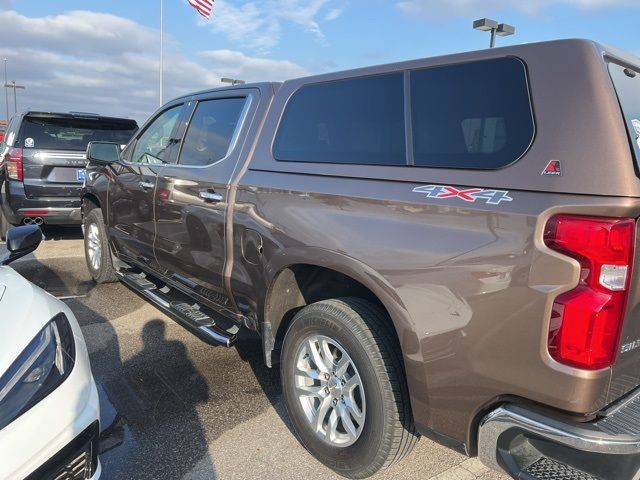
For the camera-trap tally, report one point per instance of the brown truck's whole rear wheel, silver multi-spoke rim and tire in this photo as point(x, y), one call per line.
point(343, 383)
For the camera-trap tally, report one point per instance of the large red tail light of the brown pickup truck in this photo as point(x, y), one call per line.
point(586, 321)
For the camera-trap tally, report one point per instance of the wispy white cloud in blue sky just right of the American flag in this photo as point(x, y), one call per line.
point(258, 24)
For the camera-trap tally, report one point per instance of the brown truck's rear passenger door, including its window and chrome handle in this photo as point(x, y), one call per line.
point(191, 201)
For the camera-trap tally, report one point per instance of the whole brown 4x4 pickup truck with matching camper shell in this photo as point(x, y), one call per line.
point(444, 247)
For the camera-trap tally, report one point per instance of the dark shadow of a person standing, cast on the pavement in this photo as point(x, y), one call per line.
point(162, 436)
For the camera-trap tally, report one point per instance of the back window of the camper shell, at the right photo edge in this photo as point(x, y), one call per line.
point(627, 83)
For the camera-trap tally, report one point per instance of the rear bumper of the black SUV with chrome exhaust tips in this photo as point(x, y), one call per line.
point(17, 207)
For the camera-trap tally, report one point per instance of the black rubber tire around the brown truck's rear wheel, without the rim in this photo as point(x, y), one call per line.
point(366, 334)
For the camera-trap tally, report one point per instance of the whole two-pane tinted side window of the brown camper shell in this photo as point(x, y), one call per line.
point(474, 115)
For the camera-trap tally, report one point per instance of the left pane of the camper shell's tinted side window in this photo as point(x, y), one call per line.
point(357, 120)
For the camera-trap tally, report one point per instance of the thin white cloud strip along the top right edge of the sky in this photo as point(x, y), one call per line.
point(453, 8)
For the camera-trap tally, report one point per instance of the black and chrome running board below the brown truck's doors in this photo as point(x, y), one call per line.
point(201, 321)
